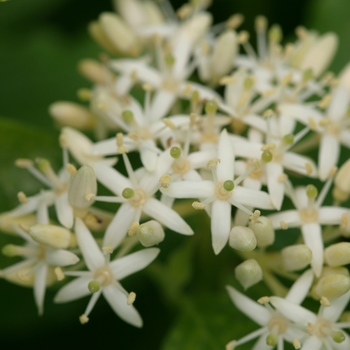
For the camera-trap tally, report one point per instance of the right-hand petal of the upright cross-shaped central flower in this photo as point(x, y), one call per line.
point(256, 199)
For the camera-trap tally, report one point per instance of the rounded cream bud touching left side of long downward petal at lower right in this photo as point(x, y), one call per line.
point(296, 257)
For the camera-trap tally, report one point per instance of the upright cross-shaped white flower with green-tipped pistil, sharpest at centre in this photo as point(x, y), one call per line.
point(221, 193)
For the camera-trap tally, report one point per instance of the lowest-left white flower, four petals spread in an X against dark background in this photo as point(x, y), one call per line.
point(103, 277)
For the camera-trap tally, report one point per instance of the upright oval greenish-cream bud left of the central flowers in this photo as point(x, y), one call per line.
point(83, 188)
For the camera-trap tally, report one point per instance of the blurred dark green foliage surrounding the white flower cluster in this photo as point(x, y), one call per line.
point(40, 44)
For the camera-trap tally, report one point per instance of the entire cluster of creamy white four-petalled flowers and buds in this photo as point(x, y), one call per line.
point(192, 111)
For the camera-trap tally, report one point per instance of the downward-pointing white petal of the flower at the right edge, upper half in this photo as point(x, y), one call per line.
point(328, 155)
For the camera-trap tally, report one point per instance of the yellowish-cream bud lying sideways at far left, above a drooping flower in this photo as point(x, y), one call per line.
point(50, 235)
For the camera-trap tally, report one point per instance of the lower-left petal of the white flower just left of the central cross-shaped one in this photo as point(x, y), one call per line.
point(119, 226)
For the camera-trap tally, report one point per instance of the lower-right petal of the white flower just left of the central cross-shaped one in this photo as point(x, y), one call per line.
point(166, 216)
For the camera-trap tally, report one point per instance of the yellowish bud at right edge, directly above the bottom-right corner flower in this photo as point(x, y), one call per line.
point(332, 286)
